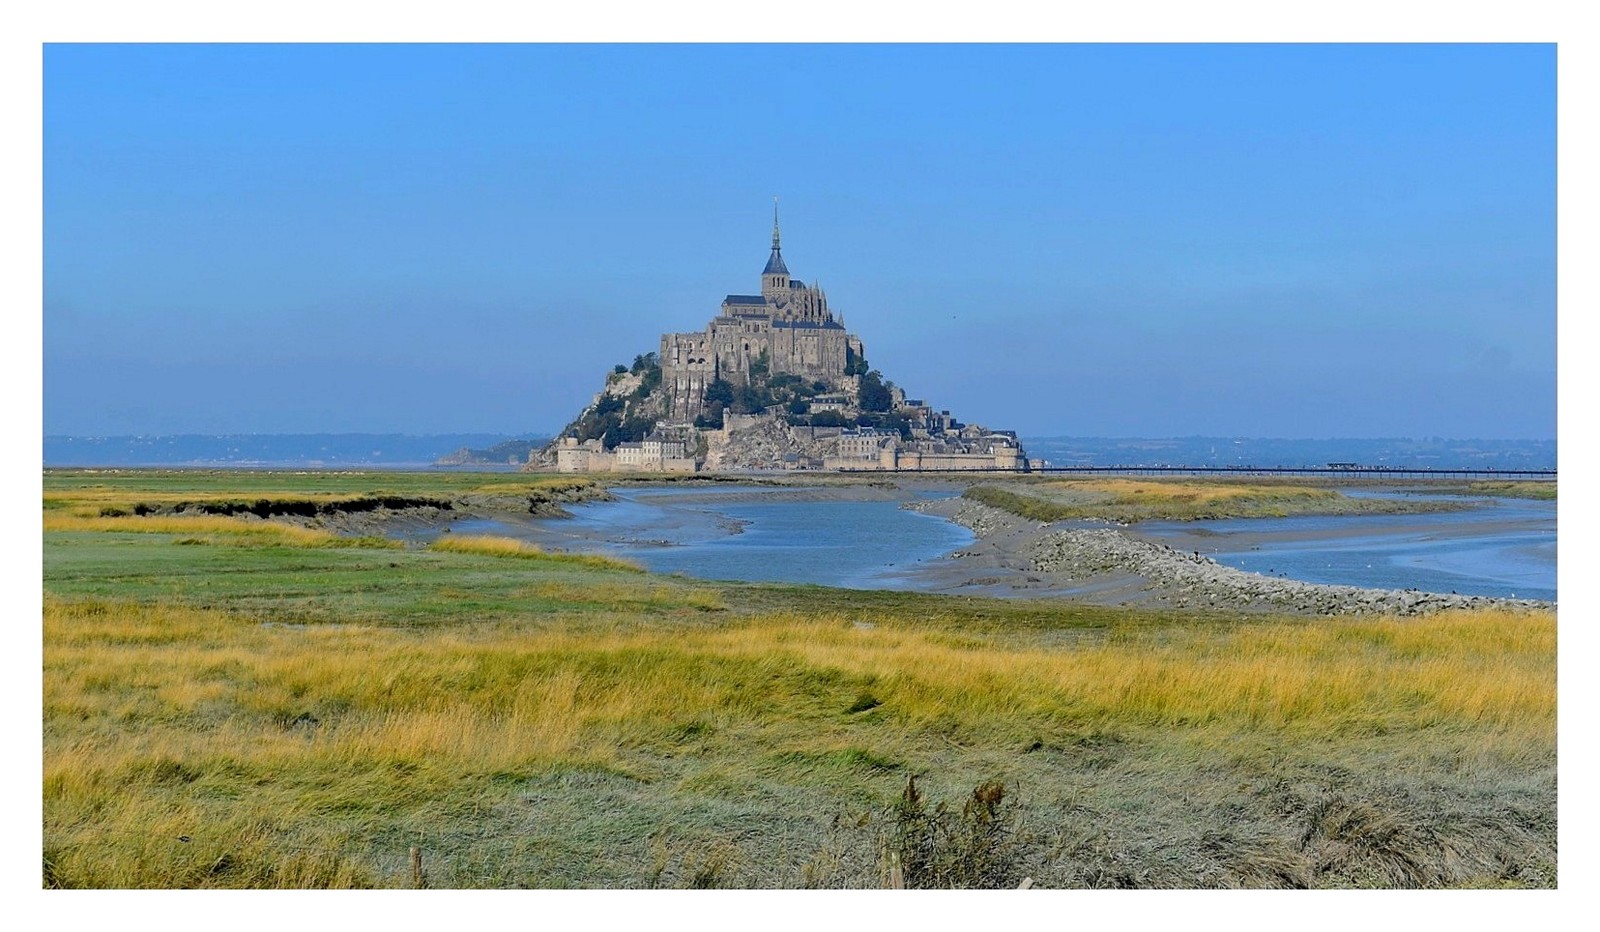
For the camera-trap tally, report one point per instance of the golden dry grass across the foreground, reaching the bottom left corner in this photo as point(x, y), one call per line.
point(266, 741)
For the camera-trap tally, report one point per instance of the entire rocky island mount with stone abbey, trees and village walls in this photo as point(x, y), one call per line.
point(774, 382)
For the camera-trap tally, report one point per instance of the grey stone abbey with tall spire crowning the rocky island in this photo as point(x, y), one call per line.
point(788, 324)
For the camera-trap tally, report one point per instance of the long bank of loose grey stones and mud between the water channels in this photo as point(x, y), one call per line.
point(1185, 580)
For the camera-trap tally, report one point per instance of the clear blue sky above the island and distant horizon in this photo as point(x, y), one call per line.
point(1278, 241)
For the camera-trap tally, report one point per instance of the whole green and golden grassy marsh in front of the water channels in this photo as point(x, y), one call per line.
point(244, 702)
